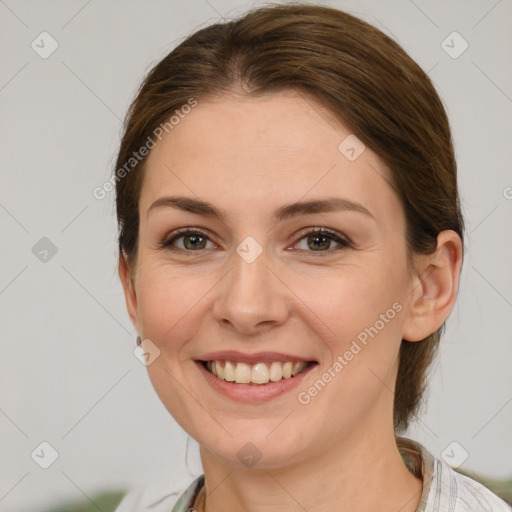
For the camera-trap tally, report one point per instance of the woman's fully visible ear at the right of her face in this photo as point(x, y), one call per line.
point(435, 287)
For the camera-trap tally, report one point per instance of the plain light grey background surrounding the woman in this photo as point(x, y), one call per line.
point(67, 372)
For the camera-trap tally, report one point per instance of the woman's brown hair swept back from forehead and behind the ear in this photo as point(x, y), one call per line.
point(358, 73)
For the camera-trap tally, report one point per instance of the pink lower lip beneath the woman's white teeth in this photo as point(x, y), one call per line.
point(253, 393)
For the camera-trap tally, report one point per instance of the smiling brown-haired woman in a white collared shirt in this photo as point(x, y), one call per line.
point(290, 247)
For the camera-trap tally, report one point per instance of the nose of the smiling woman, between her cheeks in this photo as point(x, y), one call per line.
point(251, 297)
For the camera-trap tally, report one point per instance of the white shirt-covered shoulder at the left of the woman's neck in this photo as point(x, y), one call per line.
point(160, 495)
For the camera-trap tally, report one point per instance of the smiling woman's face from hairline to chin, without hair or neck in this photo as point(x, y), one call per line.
point(259, 286)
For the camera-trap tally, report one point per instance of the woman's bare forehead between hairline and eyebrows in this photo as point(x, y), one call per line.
point(245, 153)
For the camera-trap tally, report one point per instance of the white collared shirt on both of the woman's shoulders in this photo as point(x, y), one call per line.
point(444, 489)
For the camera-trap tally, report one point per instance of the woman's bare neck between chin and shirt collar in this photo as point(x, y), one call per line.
point(362, 471)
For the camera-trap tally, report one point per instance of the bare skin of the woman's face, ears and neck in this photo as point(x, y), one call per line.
point(250, 156)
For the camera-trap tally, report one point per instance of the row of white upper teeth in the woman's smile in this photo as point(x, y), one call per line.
point(260, 373)
